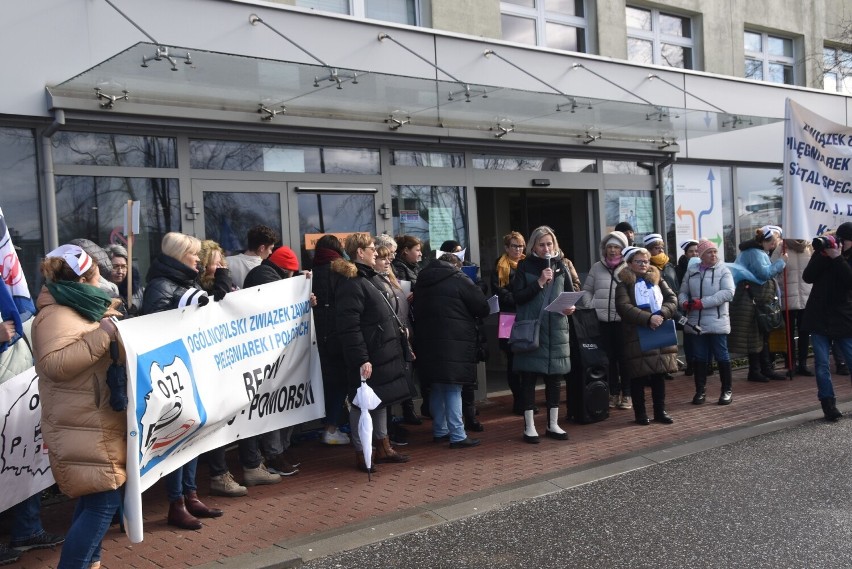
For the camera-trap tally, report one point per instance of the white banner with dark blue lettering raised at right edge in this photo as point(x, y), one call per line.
point(817, 181)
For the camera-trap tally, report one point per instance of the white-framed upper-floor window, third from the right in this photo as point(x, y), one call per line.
point(658, 38)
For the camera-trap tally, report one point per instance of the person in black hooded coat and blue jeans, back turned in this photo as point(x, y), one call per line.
point(448, 304)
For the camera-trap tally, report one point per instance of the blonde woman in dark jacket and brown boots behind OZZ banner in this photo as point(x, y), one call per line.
point(171, 284)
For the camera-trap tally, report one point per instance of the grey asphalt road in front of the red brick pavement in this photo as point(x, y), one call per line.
point(780, 500)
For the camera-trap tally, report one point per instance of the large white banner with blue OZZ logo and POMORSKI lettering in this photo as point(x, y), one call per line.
point(205, 376)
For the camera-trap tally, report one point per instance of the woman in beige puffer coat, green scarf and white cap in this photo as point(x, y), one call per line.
point(86, 439)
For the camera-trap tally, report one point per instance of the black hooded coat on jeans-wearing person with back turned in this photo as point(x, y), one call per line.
point(448, 304)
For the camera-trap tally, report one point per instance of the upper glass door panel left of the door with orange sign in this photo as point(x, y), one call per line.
point(224, 210)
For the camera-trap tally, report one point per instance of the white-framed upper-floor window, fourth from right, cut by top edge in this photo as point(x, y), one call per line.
point(558, 24)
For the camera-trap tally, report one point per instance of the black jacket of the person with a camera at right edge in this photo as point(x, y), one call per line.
point(829, 308)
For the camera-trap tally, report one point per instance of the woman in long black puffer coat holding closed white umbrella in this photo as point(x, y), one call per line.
point(371, 341)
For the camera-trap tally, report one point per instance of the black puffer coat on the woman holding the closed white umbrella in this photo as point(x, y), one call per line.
point(368, 332)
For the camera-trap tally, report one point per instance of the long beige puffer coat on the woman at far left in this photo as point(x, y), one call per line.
point(86, 439)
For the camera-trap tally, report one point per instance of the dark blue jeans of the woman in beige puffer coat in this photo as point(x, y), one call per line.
point(92, 516)
